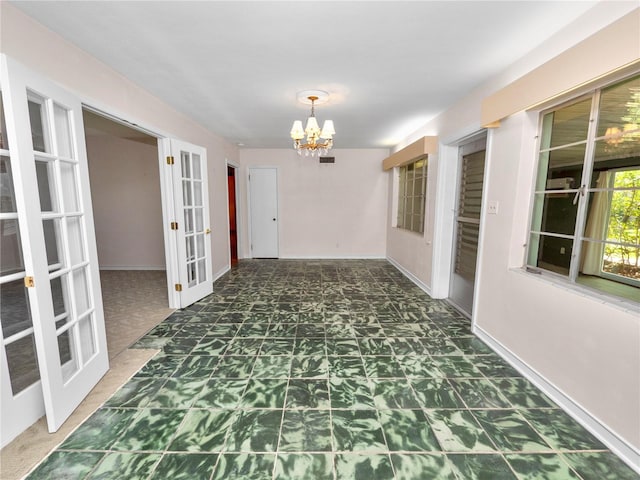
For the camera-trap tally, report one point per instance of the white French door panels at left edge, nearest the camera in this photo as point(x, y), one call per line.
point(53, 253)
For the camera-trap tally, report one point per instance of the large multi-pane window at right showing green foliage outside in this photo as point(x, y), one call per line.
point(586, 211)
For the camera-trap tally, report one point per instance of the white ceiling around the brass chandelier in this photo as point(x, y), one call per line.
point(236, 66)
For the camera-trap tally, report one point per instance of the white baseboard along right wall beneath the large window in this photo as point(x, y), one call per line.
point(628, 453)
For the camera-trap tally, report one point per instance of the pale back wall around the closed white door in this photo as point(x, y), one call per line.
point(326, 210)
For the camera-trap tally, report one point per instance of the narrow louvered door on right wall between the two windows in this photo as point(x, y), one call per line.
point(467, 226)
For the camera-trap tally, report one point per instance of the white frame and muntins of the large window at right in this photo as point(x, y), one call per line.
point(583, 192)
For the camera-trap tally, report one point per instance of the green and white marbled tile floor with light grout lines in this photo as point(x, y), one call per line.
point(318, 370)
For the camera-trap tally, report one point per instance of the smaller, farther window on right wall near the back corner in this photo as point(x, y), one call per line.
point(412, 190)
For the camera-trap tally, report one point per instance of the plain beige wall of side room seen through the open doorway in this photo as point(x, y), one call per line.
point(127, 211)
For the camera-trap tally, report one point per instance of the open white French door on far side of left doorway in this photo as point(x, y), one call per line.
point(188, 164)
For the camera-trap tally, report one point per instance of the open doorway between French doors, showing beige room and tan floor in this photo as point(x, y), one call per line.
point(127, 207)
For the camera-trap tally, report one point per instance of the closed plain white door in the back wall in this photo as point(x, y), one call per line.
point(263, 198)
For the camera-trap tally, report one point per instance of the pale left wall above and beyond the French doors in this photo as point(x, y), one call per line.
point(101, 87)
